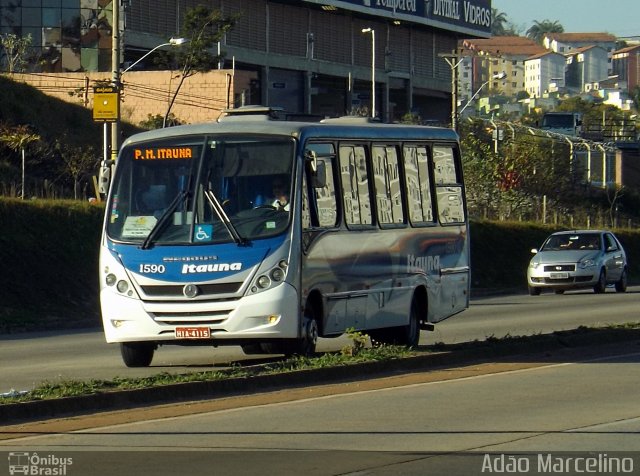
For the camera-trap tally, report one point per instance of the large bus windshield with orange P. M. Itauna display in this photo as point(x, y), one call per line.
point(201, 189)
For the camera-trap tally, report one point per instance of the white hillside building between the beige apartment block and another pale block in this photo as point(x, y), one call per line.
point(544, 73)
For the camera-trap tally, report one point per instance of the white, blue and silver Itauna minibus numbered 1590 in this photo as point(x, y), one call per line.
point(374, 236)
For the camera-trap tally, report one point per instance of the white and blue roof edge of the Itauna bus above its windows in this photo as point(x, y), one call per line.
point(333, 129)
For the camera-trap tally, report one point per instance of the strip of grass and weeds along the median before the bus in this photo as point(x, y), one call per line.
point(356, 353)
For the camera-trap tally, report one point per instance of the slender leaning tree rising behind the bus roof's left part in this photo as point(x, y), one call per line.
point(203, 28)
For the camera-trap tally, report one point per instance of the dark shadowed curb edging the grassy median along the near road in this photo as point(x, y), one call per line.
point(459, 354)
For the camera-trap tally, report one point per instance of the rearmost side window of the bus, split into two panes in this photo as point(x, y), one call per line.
point(448, 185)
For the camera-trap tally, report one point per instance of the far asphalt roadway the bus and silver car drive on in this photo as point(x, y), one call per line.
point(27, 360)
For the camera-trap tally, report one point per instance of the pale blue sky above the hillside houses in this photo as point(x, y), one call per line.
point(618, 17)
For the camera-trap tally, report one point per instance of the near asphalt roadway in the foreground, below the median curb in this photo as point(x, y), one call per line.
point(555, 409)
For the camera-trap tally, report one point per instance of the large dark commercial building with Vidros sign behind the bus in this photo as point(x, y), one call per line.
point(310, 56)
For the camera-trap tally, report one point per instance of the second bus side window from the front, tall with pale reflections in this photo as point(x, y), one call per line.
point(355, 185)
